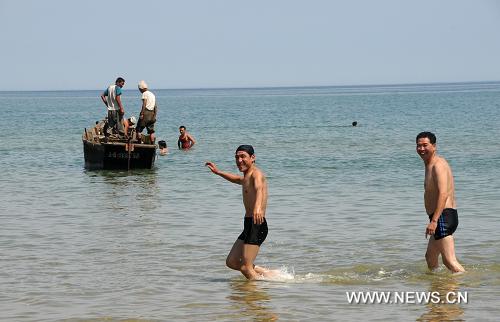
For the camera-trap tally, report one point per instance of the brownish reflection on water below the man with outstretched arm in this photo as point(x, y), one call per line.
point(251, 300)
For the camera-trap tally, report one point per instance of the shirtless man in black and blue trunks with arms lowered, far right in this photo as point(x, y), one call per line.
point(439, 198)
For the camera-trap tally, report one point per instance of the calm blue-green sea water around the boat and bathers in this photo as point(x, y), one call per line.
point(345, 206)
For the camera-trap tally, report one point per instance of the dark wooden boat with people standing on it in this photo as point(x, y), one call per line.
point(113, 152)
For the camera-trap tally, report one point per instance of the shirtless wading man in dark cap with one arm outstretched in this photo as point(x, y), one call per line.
point(254, 190)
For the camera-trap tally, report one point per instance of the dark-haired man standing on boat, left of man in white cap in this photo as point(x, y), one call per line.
point(112, 99)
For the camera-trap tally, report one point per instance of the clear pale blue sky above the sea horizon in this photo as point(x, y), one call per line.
point(72, 45)
